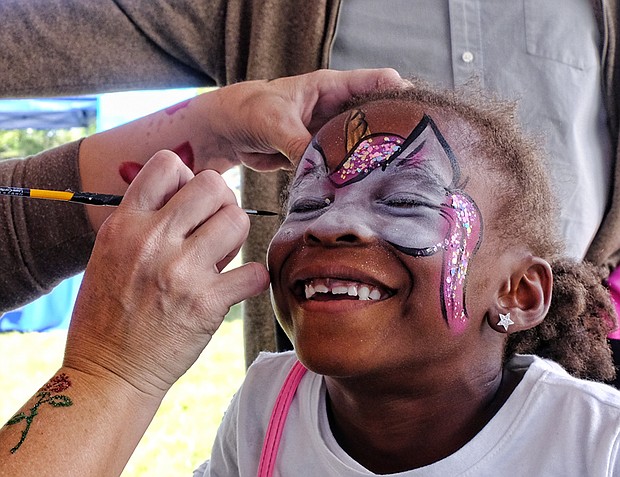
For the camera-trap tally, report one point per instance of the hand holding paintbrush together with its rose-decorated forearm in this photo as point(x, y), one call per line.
point(151, 299)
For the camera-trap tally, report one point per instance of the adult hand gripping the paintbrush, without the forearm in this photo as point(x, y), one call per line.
point(153, 293)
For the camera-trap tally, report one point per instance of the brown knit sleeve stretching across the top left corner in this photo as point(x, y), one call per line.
point(65, 47)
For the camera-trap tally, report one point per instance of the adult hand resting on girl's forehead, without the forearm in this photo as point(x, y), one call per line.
point(267, 125)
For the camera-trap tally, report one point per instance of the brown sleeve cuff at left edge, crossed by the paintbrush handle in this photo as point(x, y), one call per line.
point(41, 242)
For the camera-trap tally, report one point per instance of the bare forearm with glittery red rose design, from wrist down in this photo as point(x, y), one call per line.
point(75, 425)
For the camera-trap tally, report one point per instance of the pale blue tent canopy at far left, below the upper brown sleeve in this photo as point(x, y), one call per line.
point(48, 113)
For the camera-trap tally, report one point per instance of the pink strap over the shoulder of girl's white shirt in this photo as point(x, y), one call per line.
point(278, 419)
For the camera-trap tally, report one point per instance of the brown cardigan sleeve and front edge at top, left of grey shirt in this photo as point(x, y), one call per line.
point(65, 47)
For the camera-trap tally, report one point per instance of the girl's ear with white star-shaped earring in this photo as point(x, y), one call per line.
point(523, 301)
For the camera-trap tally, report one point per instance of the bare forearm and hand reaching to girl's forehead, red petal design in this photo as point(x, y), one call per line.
point(264, 125)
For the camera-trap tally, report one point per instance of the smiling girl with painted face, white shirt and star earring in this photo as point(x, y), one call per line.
point(416, 258)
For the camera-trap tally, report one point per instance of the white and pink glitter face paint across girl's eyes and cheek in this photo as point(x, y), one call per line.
point(404, 191)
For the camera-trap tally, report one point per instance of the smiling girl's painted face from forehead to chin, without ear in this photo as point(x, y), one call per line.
point(373, 256)
